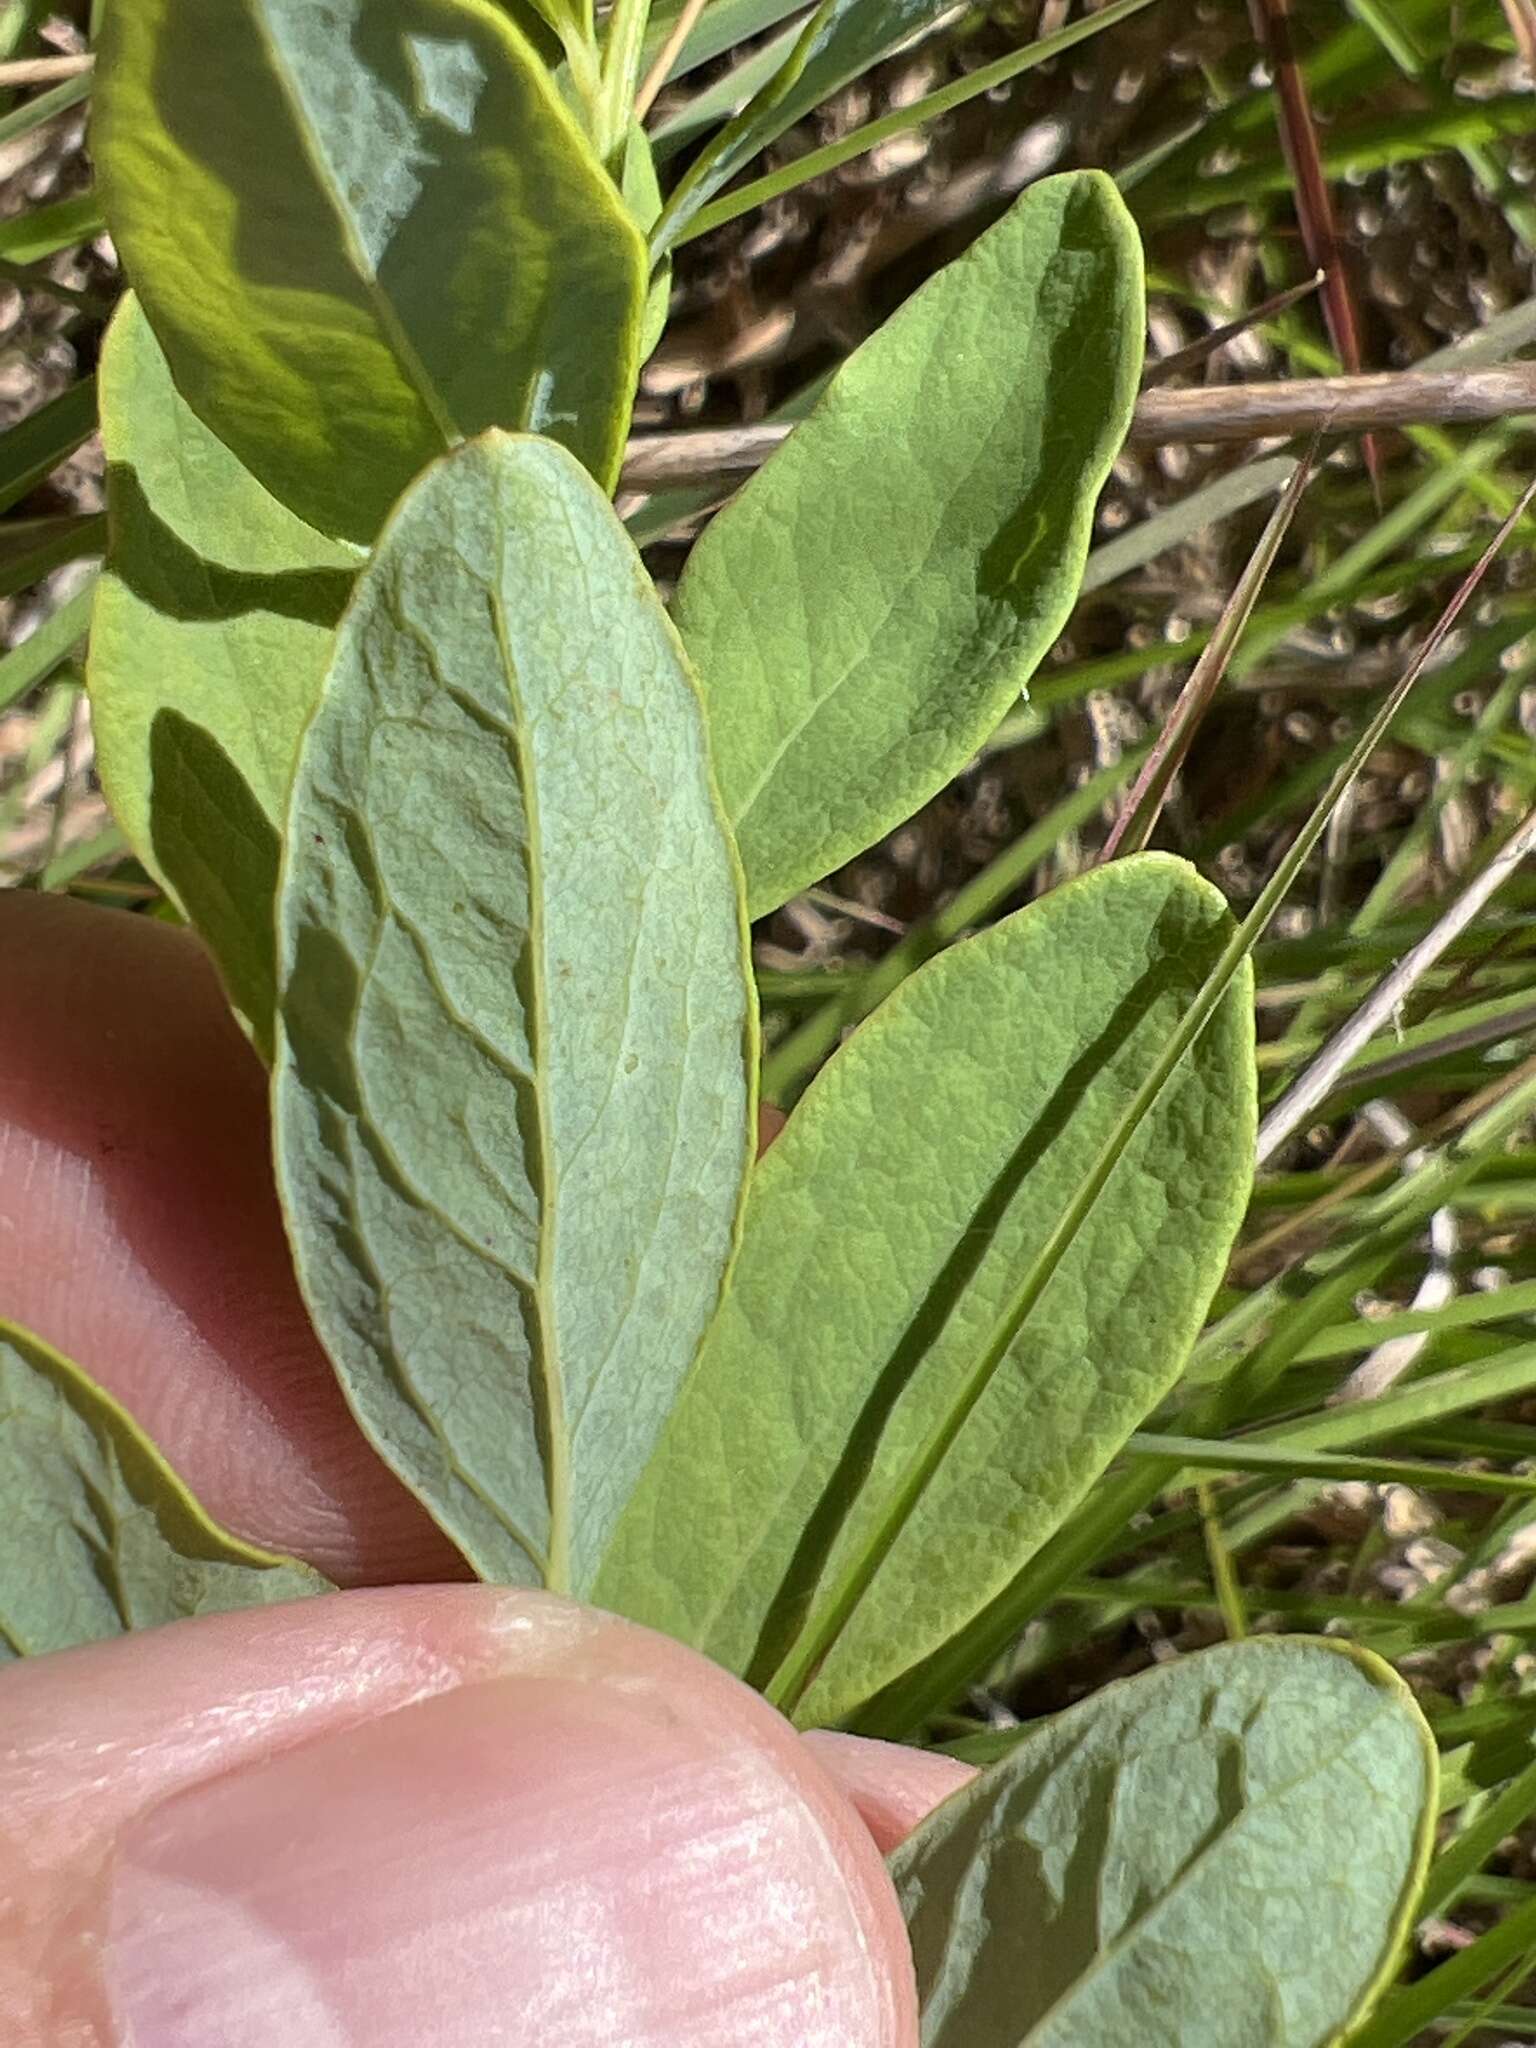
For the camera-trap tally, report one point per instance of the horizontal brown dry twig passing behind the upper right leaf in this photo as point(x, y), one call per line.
point(1222, 413)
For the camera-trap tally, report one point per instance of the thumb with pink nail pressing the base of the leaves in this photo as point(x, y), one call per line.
point(429, 1816)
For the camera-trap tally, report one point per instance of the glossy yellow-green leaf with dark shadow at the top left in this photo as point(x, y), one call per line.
point(364, 234)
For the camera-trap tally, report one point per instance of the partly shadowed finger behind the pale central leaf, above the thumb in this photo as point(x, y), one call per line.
point(142, 1238)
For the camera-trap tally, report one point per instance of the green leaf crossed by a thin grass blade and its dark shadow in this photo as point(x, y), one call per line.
point(884, 1244)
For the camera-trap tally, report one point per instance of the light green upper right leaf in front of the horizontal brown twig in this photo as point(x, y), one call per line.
point(873, 603)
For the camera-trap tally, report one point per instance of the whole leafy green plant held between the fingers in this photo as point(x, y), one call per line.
point(474, 824)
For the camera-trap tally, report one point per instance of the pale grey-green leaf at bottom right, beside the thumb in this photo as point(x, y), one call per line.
point(1220, 1852)
